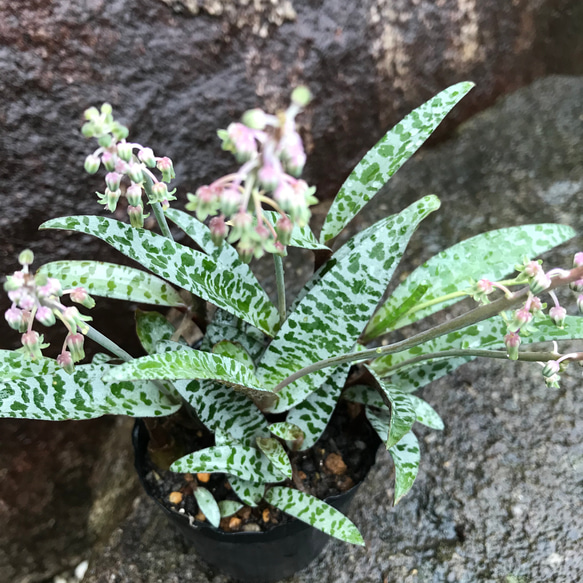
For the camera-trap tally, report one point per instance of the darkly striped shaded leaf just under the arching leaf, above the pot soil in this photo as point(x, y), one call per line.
point(220, 408)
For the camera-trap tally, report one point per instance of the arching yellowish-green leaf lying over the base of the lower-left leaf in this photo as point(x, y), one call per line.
point(188, 364)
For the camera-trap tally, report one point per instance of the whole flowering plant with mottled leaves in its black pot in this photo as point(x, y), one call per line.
point(230, 420)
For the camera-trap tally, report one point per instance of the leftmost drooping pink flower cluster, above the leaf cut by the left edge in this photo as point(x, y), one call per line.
point(37, 298)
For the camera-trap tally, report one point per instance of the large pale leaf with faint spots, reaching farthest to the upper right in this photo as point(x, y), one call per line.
point(490, 255)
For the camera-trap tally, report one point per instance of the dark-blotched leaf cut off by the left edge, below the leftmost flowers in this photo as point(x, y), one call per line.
point(83, 394)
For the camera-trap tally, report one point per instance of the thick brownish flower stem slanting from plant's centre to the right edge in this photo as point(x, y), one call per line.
point(473, 317)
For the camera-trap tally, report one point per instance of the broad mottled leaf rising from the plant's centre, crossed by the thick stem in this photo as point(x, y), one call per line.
point(329, 318)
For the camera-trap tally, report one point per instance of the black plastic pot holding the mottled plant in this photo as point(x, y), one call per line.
point(258, 557)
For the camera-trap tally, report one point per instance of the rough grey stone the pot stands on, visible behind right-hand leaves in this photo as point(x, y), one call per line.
point(499, 493)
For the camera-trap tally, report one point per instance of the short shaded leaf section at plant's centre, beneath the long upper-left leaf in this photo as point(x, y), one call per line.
point(225, 326)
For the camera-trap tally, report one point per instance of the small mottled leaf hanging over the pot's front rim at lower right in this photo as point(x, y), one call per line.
point(314, 512)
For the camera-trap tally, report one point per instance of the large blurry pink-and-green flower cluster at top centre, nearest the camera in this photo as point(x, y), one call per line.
point(272, 157)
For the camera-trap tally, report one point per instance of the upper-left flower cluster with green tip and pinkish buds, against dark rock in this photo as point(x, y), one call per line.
point(126, 160)
